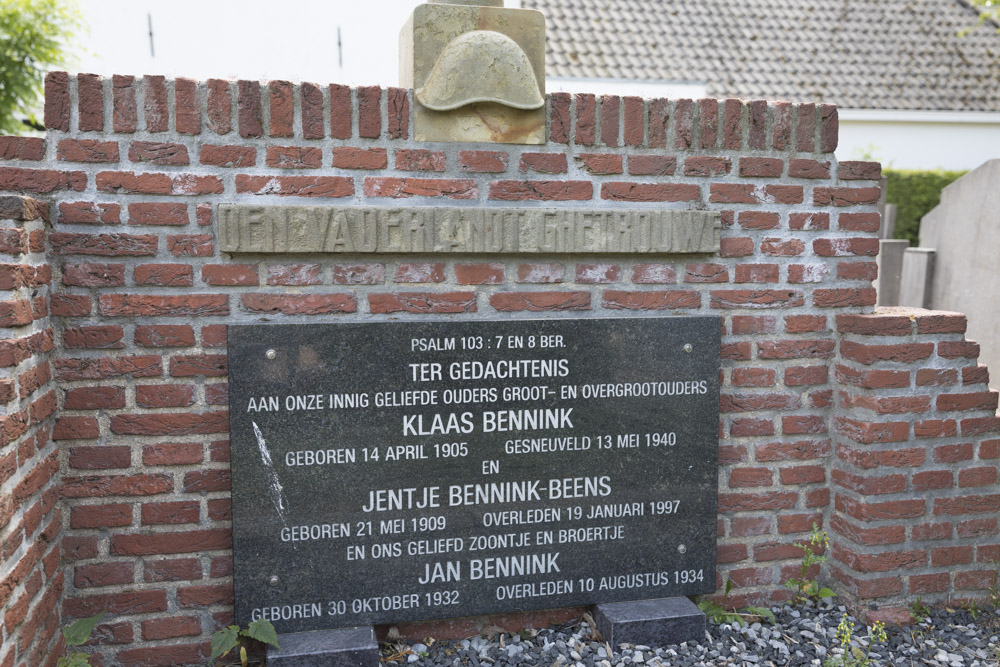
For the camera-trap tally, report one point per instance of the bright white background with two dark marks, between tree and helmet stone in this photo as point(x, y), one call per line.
point(294, 40)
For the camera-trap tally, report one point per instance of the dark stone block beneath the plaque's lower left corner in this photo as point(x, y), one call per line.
point(354, 647)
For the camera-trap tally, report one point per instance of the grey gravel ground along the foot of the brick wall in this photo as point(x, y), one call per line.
point(803, 635)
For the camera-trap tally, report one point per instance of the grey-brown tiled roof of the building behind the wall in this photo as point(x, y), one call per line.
point(859, 54)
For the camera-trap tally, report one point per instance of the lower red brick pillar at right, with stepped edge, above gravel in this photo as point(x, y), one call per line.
point(916, 490)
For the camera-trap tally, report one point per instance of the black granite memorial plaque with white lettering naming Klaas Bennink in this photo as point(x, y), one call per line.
point(387, 472)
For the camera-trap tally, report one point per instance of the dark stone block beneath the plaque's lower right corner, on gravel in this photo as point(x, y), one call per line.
point(650, 622)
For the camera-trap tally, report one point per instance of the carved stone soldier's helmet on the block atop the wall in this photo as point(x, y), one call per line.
point(481, 66)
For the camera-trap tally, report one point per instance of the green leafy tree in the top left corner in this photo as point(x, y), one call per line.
point(33, 38)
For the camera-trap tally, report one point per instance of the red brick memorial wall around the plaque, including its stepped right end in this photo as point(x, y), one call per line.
point(132, 171)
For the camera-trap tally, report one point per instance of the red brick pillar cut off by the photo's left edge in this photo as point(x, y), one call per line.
point(31, 581)
